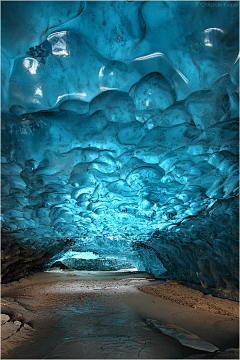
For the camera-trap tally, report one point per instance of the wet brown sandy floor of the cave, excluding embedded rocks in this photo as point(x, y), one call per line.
point(71, 315)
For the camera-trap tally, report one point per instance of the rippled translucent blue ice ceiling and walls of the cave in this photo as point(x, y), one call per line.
point(120, 137)
